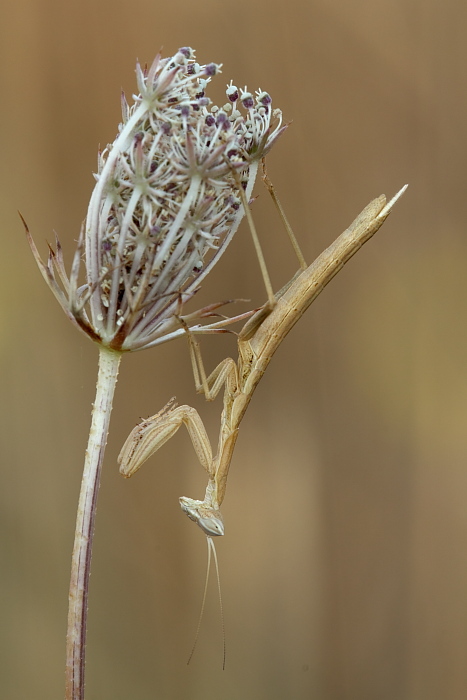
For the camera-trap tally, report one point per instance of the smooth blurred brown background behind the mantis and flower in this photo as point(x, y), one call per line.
point(344, 565)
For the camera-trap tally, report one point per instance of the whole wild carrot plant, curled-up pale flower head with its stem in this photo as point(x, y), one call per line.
point(164, 208)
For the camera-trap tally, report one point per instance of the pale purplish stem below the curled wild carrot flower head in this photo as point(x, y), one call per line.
point(81, 561)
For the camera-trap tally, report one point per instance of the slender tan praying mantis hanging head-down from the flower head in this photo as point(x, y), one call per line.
point(257, 341)
